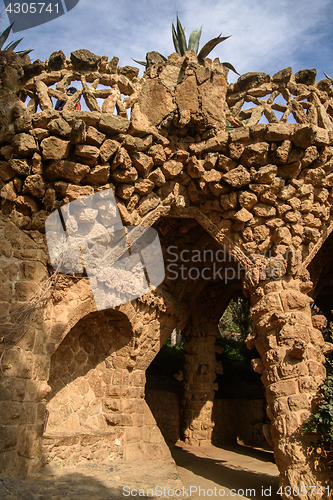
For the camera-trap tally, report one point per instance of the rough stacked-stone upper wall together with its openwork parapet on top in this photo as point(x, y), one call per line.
point(259, 187)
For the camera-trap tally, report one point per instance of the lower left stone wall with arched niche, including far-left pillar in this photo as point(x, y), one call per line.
point(36, 372)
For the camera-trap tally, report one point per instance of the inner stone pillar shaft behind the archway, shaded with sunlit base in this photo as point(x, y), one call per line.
point(199, 386)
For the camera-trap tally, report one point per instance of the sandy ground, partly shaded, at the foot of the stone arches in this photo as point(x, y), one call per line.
point(216, 471)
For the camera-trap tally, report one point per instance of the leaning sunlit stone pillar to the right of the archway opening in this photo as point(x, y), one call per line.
point(292, 372)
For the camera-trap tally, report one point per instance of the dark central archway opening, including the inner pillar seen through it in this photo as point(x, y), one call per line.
point(205, 276)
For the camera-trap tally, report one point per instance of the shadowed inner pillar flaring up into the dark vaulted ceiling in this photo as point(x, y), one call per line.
point(206, 295)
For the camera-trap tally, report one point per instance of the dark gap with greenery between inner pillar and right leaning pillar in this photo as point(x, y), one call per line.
point(239, 410)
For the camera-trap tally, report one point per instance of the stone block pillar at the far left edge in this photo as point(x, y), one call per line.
point(24, 365)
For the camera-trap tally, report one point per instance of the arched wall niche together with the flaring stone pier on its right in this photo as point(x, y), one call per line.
point(116, 382)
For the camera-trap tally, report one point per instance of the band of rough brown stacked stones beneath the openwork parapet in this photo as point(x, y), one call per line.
point(264, 187)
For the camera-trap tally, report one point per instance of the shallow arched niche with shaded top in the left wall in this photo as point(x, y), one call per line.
point(87, 370)
